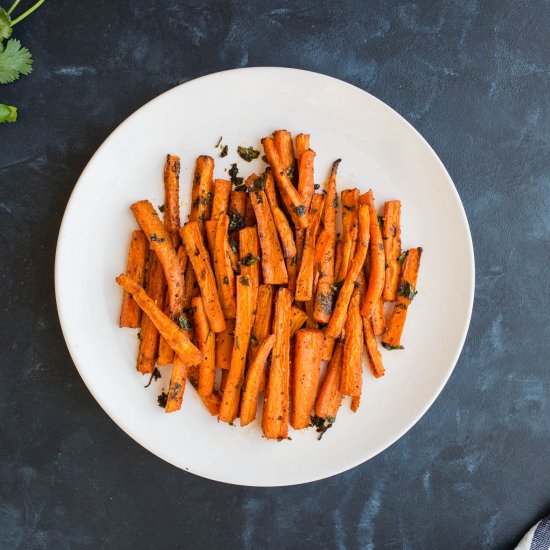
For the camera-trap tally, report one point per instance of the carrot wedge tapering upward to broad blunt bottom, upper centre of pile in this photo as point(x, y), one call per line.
point(273, 264)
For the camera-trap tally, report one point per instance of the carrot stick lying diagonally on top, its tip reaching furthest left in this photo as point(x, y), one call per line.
point(175, 337)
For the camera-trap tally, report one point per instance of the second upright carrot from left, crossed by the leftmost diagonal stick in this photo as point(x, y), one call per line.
point(148, 334)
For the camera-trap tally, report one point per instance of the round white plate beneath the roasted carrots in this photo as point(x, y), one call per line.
point(379, 149)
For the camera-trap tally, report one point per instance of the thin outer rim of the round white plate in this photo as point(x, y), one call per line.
point(346, 465)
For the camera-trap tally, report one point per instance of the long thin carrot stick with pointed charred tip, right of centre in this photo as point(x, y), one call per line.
point(325, 293)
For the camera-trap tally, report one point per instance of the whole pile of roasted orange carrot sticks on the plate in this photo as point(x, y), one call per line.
point(249, 297)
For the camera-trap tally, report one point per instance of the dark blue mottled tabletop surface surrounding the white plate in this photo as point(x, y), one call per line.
point(473, 78)
